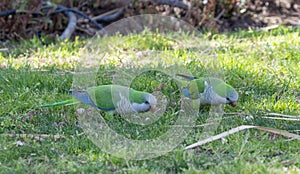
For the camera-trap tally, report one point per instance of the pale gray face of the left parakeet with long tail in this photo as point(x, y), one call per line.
point(148, 105)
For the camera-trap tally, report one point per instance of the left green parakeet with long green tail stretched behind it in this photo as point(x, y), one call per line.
point(122, 99)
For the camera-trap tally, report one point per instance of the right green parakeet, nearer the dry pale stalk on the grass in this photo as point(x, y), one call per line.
point(210, 90)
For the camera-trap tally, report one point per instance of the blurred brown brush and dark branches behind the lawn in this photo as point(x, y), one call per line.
point(25, 19)
